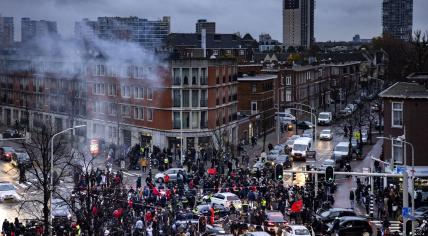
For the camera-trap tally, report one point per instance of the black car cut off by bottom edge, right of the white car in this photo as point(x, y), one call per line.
point(352, 226)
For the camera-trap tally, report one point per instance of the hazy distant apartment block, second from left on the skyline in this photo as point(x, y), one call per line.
point(31, 29)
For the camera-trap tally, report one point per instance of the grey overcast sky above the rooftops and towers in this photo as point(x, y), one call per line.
point(334, 19)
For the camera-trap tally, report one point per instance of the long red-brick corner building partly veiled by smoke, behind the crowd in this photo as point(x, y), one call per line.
point(122, 104)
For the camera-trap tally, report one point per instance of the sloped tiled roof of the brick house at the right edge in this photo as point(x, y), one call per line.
point(405, 90)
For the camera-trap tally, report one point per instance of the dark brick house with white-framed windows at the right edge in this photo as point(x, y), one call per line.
point(405, 112)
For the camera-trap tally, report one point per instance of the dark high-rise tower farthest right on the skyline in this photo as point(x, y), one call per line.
point(397, 18)
